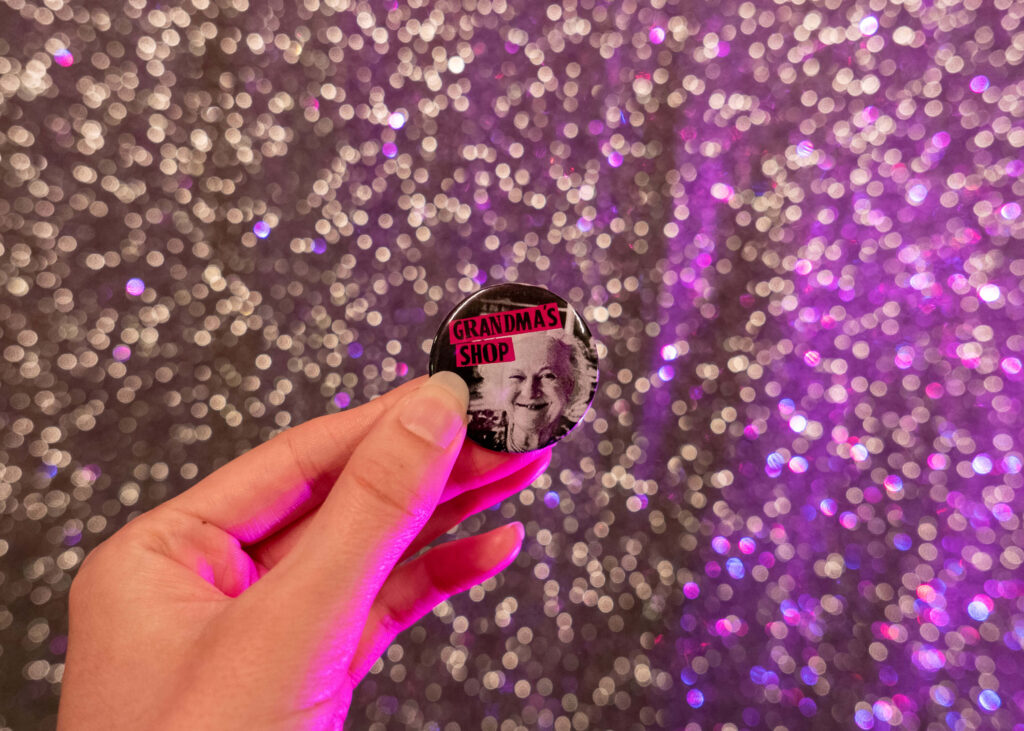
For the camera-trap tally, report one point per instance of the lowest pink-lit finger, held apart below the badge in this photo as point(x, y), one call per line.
point(418, 586)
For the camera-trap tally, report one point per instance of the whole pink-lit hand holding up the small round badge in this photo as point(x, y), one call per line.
point(261, 597)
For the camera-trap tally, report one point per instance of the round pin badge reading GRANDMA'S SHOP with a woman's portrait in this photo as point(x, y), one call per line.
point(528, 358)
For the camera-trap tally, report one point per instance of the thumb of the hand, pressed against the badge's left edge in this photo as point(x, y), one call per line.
point(380, 502)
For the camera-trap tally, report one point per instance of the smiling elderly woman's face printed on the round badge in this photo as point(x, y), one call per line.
point(539, 384)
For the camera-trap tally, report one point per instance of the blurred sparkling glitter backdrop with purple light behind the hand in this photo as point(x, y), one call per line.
point(795, 228)
